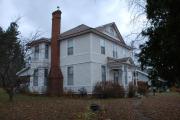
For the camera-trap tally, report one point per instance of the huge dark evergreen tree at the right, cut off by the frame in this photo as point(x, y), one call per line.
point(162, 50)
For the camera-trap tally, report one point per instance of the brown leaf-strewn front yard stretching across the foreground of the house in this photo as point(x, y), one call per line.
point(164, 106)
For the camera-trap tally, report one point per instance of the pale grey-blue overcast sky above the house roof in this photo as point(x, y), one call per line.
point(36, 15)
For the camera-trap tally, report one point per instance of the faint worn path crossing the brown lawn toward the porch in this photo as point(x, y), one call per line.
point(138, 113)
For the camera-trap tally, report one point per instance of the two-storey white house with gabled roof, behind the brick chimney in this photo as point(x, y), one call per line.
point(87, 55)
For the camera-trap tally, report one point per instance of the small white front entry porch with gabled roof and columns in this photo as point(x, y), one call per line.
point(121, 70)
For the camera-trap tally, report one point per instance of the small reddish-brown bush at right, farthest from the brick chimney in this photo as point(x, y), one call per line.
point(142, 87)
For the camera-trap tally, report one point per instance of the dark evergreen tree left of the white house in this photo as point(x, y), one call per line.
point(11, 57)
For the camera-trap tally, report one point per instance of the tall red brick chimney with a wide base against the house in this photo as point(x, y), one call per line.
point(55, 87)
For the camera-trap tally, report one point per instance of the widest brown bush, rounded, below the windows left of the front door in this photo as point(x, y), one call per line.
point(108, 89)
